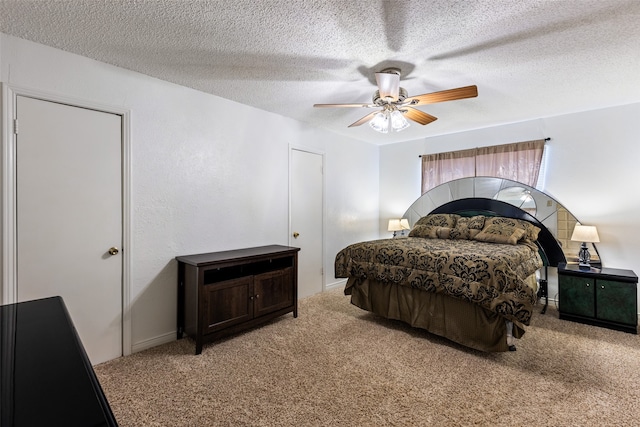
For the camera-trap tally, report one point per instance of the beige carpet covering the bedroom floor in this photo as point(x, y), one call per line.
point(336, 365)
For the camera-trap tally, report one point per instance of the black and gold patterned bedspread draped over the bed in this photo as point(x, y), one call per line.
point(489, 274)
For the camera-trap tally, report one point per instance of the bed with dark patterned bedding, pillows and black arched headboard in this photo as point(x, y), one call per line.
point(469, 271)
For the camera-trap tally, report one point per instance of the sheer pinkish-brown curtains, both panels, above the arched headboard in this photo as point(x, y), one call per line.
point(518, 162)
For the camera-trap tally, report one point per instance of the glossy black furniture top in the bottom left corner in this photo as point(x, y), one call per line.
point(46, 378)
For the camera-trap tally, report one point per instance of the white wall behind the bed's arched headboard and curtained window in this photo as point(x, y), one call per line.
point(593, 170)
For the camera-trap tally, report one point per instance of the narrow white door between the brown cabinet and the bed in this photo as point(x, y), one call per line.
point(307, 219)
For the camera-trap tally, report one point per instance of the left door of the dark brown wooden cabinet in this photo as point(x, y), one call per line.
point(227, 303)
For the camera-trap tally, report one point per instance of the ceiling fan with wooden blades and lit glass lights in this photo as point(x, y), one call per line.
point(396, 106)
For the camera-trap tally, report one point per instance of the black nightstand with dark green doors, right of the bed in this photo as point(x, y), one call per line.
point(605, 297)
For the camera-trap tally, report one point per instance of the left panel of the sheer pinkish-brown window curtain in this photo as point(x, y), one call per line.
point(443, 167)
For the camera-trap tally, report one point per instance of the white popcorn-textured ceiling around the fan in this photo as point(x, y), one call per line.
point(528, 58)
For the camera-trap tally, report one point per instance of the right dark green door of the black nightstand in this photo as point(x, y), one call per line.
point(614, 301)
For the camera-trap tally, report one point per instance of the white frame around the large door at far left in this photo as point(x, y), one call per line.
point(8, 113)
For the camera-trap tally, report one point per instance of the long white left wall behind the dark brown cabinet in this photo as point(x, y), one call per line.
point(208, 174)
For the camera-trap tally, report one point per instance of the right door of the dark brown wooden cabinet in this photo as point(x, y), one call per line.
point(273, 291)
